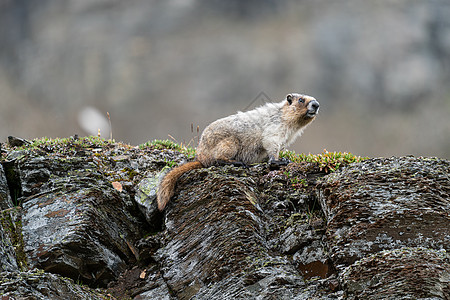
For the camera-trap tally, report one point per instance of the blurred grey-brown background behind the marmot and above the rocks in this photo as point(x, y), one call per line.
point(380, 69)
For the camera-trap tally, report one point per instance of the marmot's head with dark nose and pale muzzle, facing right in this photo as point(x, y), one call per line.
point(301, 109)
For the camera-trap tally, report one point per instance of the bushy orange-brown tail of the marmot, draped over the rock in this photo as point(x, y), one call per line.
point(167, 185)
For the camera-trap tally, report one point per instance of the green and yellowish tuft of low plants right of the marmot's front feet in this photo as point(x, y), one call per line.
point(327, 161)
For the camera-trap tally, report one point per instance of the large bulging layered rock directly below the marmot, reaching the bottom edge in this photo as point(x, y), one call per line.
point(215, 244)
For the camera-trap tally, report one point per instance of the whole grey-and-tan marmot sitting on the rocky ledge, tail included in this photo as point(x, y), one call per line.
point(247, 138)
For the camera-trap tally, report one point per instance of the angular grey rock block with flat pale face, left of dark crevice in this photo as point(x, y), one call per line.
point(80, 233)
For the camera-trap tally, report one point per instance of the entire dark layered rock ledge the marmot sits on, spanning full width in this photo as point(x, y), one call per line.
point(87, 212)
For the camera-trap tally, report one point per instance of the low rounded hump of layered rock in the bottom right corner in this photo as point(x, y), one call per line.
point(404, 273)
